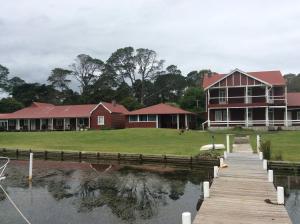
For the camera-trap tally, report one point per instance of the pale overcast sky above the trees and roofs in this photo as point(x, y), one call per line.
point(38, 35)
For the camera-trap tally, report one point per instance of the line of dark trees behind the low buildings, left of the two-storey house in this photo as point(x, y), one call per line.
point(133, 77)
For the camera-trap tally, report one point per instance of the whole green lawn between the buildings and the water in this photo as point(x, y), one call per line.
point(147, 141)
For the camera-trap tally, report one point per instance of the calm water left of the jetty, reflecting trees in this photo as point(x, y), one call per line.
point(77, 193)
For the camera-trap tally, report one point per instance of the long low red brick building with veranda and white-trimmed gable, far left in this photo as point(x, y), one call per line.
point(43, 116)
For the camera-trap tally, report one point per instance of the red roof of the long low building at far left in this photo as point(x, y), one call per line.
point(43, 110)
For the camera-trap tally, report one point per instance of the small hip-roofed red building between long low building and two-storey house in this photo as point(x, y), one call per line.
point(160, 116)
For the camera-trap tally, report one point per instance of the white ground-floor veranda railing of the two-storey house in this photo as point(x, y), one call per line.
point(252, 123)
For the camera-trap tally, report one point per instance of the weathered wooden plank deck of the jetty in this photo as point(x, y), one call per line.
point(238, 194)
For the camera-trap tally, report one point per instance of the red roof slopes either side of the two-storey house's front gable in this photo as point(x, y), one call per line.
point(271, 77)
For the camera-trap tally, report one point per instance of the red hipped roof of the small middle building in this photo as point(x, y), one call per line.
point(159, 109)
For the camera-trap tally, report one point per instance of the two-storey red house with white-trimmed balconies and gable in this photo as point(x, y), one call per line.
point(250, 99)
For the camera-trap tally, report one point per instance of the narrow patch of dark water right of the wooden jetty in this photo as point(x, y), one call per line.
point(291, 183)
